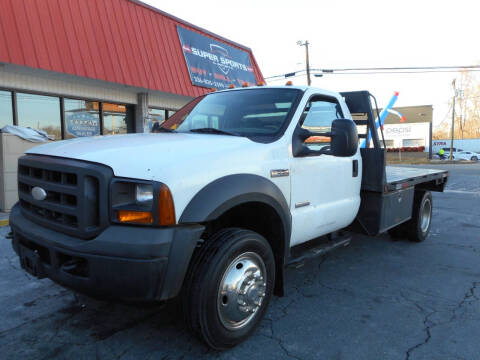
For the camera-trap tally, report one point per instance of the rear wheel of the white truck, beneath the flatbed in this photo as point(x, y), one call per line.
point(418, 228)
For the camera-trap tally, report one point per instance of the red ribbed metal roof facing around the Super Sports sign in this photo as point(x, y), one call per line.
point(121, 41)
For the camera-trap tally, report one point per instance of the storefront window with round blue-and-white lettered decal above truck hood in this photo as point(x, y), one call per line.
point(82, 118)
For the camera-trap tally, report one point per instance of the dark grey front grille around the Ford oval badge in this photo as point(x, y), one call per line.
point(76, 194)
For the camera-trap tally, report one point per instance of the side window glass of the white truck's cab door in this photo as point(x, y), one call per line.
point(318, 117)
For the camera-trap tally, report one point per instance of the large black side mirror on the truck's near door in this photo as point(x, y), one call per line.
point(344, 138)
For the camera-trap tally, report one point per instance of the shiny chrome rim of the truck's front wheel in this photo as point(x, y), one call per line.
point(242, 290)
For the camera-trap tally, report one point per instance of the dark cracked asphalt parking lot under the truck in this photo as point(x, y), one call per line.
point(375, 299)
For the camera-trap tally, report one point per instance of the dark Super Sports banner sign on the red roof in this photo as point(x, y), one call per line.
point(213, 64)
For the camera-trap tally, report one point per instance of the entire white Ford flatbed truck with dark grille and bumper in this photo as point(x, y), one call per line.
point(235, 186)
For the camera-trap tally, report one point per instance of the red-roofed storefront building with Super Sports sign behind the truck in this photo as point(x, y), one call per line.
point(87, 67)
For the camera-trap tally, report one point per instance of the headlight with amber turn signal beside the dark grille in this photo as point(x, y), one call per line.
point(148, 203)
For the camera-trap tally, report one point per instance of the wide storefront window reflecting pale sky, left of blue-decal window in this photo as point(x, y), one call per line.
point(40, 112)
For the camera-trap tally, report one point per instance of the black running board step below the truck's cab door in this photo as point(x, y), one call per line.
point(301, 253)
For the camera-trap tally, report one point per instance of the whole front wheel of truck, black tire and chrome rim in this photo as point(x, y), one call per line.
point(228, 287)
